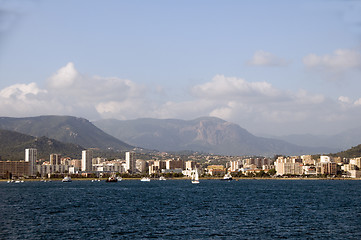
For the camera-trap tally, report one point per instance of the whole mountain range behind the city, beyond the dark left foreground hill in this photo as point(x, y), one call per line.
point(206, 134)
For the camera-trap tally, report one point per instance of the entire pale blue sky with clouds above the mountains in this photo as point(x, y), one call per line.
point(273, 67)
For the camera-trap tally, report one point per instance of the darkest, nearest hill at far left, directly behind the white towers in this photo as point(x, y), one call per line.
point(13, 144)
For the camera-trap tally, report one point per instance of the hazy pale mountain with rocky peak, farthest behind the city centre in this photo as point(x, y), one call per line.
point(206, 134)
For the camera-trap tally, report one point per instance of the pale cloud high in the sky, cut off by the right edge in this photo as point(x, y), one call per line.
point(340, 60)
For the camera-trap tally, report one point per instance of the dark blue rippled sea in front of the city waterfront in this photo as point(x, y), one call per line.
point(178, 209)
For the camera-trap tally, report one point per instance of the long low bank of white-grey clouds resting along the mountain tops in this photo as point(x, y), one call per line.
point(256, 106)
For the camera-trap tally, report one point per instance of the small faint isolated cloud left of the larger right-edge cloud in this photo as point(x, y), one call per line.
point(262, 58)
